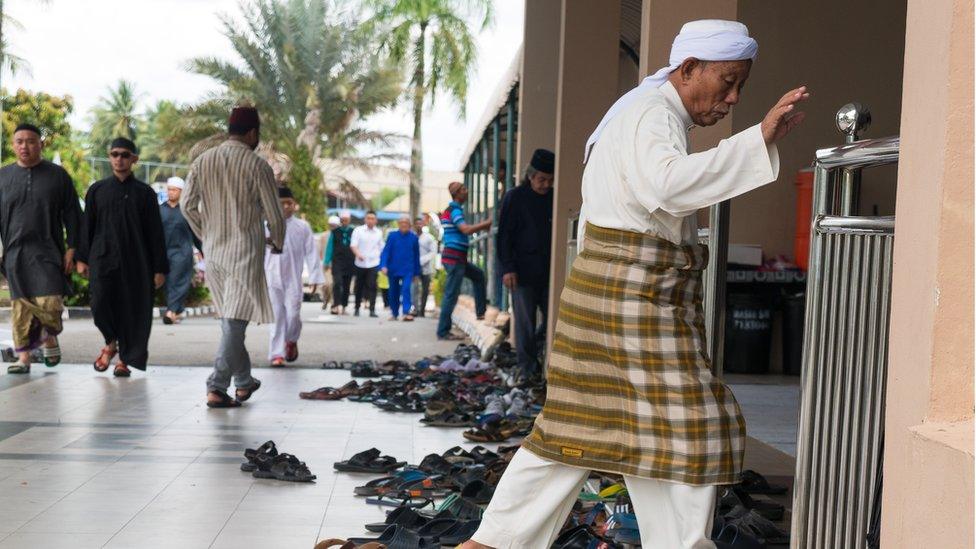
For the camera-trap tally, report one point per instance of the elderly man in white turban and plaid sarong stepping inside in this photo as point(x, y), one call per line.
point(629, 383)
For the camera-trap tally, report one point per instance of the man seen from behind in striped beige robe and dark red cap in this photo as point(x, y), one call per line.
point(230, 195)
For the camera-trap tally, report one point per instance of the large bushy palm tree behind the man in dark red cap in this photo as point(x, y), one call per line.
point(312, 73)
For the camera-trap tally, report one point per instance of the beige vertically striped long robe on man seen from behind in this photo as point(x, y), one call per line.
point(230, 193)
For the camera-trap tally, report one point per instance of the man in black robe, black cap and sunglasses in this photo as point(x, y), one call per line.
point(123, 251)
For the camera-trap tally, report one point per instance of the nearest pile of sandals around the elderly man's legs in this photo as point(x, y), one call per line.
point(439, 503)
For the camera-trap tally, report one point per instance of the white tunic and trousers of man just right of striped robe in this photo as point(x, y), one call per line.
point(284, 274)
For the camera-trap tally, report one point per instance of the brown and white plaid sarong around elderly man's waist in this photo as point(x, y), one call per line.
point(630, 389)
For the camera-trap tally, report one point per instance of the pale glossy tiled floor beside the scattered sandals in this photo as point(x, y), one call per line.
point(90, 461)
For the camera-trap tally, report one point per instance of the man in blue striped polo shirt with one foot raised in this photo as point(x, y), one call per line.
point(455, 259)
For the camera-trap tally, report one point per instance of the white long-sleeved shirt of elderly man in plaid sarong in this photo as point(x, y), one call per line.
point(640, 177)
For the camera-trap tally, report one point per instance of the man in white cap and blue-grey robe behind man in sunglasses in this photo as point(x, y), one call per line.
point(180, 242)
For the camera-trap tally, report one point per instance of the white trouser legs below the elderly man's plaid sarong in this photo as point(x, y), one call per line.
point(535, 496)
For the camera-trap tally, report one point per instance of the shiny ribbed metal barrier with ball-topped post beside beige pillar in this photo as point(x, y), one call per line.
point(845, 348)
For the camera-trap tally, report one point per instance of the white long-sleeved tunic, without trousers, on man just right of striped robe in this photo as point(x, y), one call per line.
point(284, 270)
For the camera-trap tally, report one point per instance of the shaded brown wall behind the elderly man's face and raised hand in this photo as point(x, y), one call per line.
point(844, 51)
